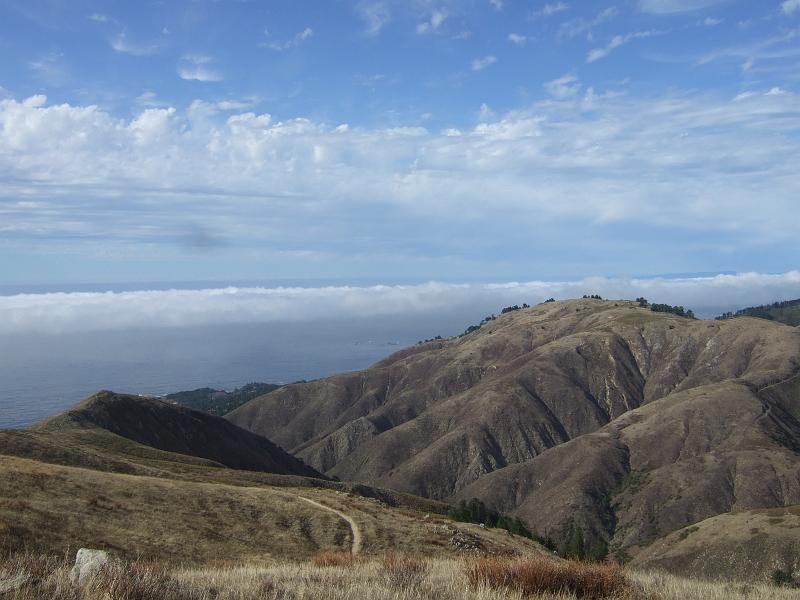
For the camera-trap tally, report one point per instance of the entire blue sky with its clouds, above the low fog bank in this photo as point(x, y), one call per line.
point(454, 140)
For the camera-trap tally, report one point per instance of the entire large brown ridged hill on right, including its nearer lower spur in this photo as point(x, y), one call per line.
point(594, 420)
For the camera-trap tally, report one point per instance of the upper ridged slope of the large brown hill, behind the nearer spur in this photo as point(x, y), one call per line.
point(434, 418)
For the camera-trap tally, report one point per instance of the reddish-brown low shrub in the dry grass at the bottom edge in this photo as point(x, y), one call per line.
point(541, 575)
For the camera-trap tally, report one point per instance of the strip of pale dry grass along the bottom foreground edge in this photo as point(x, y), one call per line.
point(392, 577)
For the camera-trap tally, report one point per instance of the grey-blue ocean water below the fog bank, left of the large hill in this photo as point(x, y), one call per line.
point(42, 375)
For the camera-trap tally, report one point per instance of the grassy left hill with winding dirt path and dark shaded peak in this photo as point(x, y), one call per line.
point(154, 481)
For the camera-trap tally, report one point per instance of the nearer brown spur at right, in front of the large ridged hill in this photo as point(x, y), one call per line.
point(679, 460)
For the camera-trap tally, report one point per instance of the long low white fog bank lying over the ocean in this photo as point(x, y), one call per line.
point(86, 311)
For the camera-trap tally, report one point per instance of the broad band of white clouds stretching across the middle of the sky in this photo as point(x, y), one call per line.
point(720, 171)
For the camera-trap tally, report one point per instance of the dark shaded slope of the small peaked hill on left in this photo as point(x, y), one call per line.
point(178, 430)
